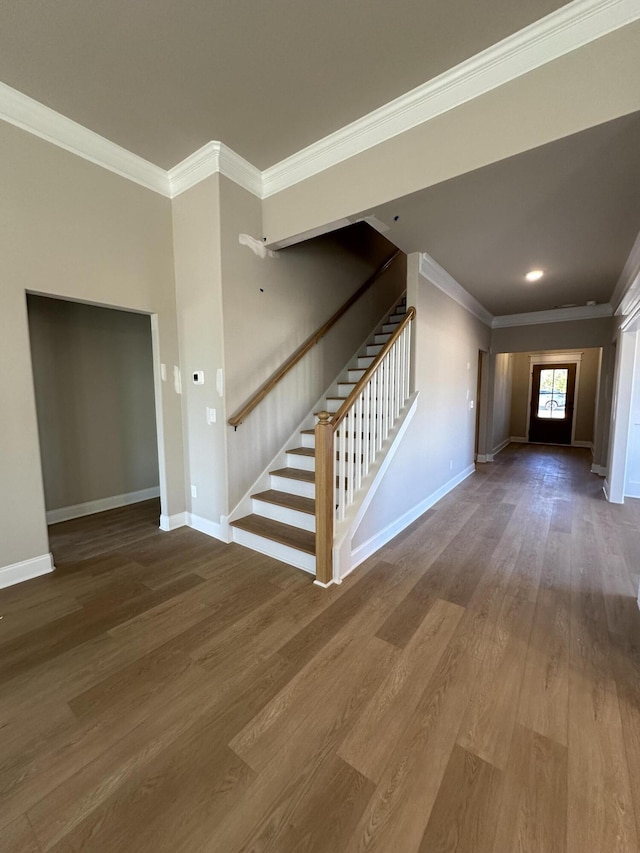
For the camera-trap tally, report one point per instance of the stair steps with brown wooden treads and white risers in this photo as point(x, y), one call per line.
point(283, 520)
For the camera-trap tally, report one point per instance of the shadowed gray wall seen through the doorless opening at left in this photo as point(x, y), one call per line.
point(93, 378)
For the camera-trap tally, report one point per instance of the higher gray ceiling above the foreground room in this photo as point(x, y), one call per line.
point(162, 78)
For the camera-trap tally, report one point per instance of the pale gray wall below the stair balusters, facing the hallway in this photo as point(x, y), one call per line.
point(439, 443)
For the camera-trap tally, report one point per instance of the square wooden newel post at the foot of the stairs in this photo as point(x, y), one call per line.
point(325, 490)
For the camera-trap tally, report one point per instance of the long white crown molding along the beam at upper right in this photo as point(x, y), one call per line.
point(567, 29)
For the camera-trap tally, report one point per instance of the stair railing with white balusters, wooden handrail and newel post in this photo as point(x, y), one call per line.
point(349, 441)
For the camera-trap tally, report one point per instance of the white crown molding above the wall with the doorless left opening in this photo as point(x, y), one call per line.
point(23, 112)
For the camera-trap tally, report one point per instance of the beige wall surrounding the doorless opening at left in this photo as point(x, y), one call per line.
point(73, 230)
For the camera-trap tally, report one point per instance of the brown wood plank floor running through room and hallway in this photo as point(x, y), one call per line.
point(474, 687)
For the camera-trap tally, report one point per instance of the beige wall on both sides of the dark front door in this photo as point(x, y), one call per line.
point(586, 391)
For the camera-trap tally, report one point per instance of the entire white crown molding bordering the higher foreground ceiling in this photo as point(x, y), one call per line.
point(574, 25)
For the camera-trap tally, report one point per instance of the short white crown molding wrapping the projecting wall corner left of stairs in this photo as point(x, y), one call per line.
point(212, 158)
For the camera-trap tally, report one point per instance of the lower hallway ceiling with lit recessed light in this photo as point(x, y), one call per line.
point(570, 208)
